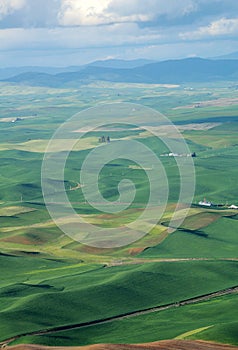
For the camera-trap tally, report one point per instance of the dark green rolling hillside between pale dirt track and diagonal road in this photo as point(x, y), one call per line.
point(37, 300)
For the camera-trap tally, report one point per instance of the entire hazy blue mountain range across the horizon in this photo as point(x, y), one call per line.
point(165, 72)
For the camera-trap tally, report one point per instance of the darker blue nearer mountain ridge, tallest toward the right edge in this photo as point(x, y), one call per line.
point(172, 71)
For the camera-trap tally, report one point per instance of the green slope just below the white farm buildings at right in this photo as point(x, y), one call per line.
point(217, 240)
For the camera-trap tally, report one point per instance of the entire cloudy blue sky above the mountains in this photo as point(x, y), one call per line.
point(75, 32)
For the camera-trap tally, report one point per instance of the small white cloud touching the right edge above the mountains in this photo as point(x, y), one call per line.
point(221, 27)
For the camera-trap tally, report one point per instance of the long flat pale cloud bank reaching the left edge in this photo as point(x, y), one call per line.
point(76, 38)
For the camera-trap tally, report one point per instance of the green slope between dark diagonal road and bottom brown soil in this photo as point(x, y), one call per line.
point(217, 314)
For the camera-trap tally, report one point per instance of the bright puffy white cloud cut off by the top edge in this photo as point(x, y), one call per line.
point(95, 12)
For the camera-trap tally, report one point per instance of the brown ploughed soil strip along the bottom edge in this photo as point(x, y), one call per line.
point(162, 345)
